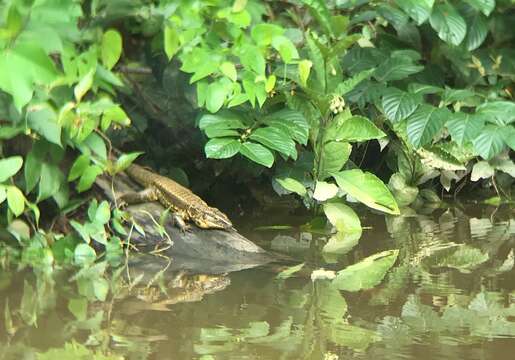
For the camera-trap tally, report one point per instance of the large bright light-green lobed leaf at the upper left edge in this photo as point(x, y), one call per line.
point(23, 66)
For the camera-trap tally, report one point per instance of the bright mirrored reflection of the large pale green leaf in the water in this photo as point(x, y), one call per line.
point(366, 274)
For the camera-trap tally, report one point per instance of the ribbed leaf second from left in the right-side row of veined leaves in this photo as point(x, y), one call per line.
point(425, 123)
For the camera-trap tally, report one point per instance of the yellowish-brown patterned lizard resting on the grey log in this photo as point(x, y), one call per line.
point(186, 205)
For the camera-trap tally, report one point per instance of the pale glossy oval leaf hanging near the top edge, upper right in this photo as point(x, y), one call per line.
point(448, 23)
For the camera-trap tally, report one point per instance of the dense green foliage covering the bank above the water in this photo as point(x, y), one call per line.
point(419, 89)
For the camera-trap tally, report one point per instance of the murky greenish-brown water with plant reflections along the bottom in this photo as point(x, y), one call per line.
point(450, 295)
